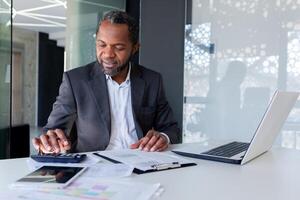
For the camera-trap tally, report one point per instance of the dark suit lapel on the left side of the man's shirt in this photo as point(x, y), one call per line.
point(99, 91)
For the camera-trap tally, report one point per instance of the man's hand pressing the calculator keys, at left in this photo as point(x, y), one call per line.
point(54, 141)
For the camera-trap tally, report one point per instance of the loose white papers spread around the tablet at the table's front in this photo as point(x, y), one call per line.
point(101, 180)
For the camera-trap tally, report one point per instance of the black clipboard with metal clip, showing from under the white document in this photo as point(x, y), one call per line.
point(154, 167)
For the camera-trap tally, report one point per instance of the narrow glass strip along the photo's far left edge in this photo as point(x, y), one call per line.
point(5, 63)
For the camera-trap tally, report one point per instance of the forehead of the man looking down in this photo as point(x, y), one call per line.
point(113, 32)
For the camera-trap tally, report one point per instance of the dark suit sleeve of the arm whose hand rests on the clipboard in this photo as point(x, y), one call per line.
point(164, 119)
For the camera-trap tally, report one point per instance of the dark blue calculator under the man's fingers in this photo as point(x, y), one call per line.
point(59, 158)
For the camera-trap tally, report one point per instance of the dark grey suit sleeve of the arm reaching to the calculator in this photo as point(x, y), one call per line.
point(63, 112)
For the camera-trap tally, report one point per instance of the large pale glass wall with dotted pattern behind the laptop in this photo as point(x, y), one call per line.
point(237, 53)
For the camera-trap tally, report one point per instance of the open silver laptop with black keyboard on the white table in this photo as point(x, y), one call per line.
point(270, 125)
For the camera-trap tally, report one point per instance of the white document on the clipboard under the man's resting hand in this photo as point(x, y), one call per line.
point(145, 160)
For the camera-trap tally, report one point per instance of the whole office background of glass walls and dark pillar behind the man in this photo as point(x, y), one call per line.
point(221, 61)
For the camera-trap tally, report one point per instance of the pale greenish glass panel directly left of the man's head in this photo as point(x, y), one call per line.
point(82, 21)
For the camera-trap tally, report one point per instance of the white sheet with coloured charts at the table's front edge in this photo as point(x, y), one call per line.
point(92, 189)
